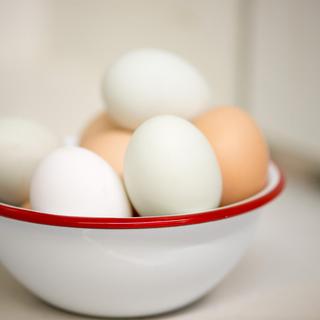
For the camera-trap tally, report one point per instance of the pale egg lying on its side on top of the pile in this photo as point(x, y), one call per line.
point(148, 82)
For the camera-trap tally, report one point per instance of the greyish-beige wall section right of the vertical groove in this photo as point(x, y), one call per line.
point(283, 70)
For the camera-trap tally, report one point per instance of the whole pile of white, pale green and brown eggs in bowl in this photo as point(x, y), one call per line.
point(161, 147)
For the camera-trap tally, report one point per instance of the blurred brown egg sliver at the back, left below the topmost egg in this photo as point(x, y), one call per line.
point(101, 123)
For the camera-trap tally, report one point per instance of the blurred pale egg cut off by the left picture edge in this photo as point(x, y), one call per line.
point(23, 143)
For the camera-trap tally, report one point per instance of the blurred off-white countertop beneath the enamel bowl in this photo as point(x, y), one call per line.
point(279, 278)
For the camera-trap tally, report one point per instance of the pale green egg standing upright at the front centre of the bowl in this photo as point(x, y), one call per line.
point(170, 168)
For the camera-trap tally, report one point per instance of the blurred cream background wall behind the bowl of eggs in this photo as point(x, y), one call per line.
point(262, 55)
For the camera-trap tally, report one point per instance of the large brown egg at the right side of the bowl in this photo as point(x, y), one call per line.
point(241, 150)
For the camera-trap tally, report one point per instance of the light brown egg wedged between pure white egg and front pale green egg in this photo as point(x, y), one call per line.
point(110, 145)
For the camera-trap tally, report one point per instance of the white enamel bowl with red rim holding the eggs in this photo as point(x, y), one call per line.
point(125, 267)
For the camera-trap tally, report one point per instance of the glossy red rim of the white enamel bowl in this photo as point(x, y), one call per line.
point(242, 207)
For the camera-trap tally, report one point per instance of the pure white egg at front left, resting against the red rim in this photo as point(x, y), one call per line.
point(74, 181)
